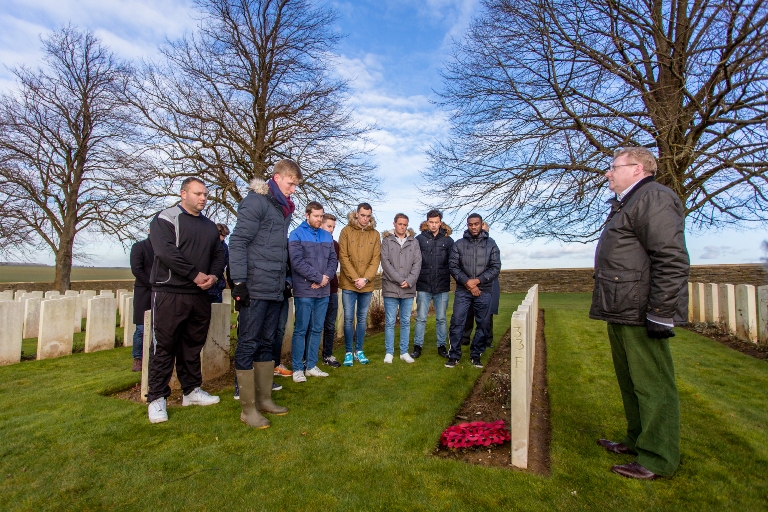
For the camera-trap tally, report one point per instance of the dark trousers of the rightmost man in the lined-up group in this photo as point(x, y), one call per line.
point(463, 301)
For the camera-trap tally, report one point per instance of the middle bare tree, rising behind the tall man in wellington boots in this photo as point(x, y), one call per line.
point(254, 85)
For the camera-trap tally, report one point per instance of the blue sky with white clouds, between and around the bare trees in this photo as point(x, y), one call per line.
point(392, 55)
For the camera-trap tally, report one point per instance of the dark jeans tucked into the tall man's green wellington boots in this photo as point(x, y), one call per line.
point(256, 332)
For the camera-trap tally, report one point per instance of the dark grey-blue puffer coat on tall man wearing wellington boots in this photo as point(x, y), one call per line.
point(258, 246)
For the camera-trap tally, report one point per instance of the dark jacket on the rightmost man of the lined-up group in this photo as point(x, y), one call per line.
point(475, 258)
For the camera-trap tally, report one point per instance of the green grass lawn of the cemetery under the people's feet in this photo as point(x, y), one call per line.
point(361, 439)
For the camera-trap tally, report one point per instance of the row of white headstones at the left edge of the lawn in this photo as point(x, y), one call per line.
point(53, 318)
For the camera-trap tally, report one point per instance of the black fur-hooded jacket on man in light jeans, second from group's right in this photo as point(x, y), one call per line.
point(435, 275)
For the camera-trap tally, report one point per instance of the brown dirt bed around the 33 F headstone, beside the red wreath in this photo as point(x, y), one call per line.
point(489, 401)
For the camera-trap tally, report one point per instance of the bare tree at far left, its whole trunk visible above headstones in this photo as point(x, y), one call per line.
point(67, 164)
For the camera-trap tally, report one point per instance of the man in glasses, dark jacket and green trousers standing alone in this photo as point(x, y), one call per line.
point(641, 290)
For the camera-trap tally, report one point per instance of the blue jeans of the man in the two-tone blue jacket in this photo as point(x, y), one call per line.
point(307, 308)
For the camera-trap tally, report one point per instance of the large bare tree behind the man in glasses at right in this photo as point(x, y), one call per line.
point(542, 91)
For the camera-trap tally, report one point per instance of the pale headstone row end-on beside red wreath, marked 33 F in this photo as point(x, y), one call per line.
point(523, 355)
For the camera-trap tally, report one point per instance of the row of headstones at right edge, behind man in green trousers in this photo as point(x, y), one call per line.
point(737, 308)
